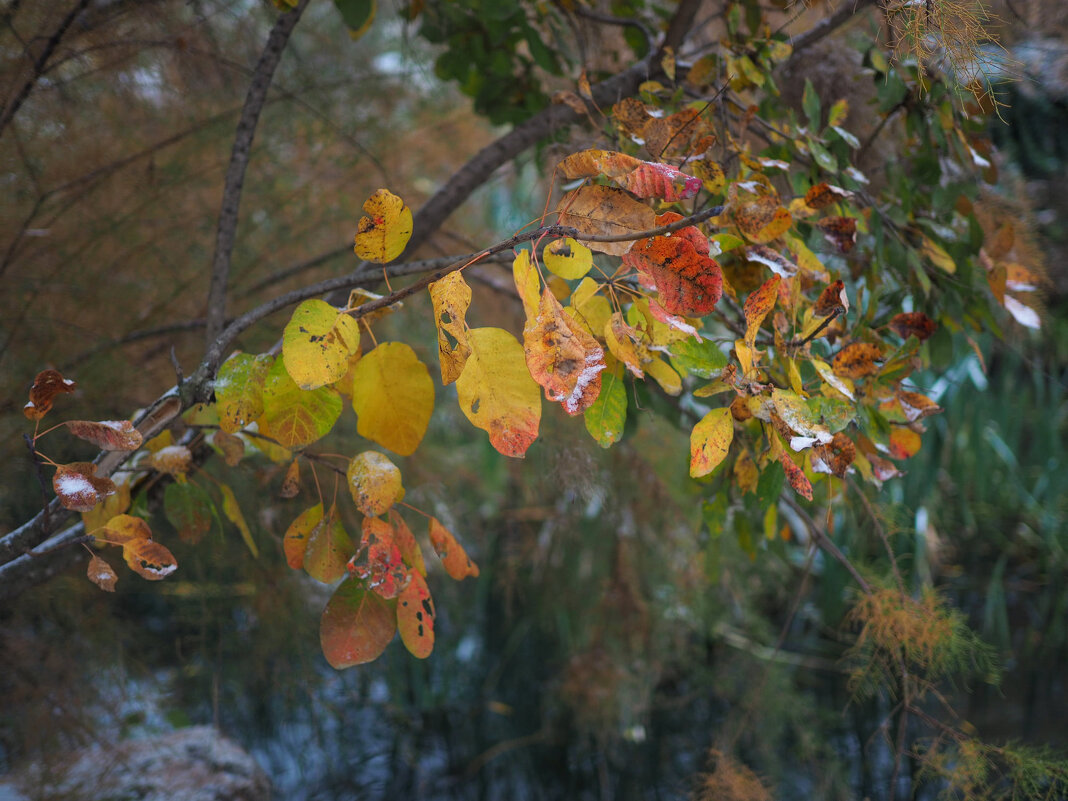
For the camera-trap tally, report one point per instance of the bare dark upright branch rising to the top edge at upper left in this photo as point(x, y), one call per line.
point(239, 163)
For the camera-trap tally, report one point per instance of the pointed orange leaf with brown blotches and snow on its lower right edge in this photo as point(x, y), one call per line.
point(563, 357)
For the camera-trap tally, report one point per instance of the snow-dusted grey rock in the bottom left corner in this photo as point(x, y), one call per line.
point(196, 764)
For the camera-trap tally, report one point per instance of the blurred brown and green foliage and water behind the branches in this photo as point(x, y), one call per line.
point(614, 638)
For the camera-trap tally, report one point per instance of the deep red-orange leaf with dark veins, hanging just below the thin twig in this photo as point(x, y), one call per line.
point(689, 282)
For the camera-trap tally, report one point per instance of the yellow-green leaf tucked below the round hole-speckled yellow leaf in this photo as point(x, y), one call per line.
point(294, 417)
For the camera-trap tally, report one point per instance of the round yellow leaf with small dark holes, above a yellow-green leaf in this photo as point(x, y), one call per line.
point(317, 344)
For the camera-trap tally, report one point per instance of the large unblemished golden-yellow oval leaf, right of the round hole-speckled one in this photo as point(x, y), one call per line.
point(394, 398)
